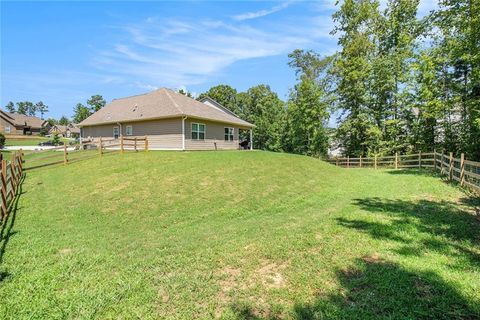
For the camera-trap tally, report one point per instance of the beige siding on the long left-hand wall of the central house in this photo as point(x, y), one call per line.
point(161, 133)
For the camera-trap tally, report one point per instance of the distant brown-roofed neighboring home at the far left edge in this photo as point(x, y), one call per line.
point(15, 123)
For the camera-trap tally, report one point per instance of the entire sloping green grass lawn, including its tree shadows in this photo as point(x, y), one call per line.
point(237, 235)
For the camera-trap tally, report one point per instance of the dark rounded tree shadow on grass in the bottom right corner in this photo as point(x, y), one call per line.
point(375, 288)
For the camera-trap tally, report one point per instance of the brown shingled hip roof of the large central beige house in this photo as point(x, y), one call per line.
point(161, 103)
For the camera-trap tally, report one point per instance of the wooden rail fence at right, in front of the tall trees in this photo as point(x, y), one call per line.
point(464, 171)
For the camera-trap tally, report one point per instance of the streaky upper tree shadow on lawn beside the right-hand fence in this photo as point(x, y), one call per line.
point(446, 227)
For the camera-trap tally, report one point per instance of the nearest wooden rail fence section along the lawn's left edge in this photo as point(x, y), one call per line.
point(11, 176)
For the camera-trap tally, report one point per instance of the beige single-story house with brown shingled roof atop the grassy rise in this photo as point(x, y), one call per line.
point(169, 120)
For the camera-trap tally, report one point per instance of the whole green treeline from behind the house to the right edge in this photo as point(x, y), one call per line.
point(397, 84)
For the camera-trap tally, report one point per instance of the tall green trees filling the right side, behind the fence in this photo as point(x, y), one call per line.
point(404, 84)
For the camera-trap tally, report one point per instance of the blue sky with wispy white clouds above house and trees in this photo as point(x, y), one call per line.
point(62, 53)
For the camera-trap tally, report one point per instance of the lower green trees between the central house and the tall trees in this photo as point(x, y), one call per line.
point(297, 126)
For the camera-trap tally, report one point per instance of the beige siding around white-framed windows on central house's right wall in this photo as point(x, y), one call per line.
point(214, 134)
